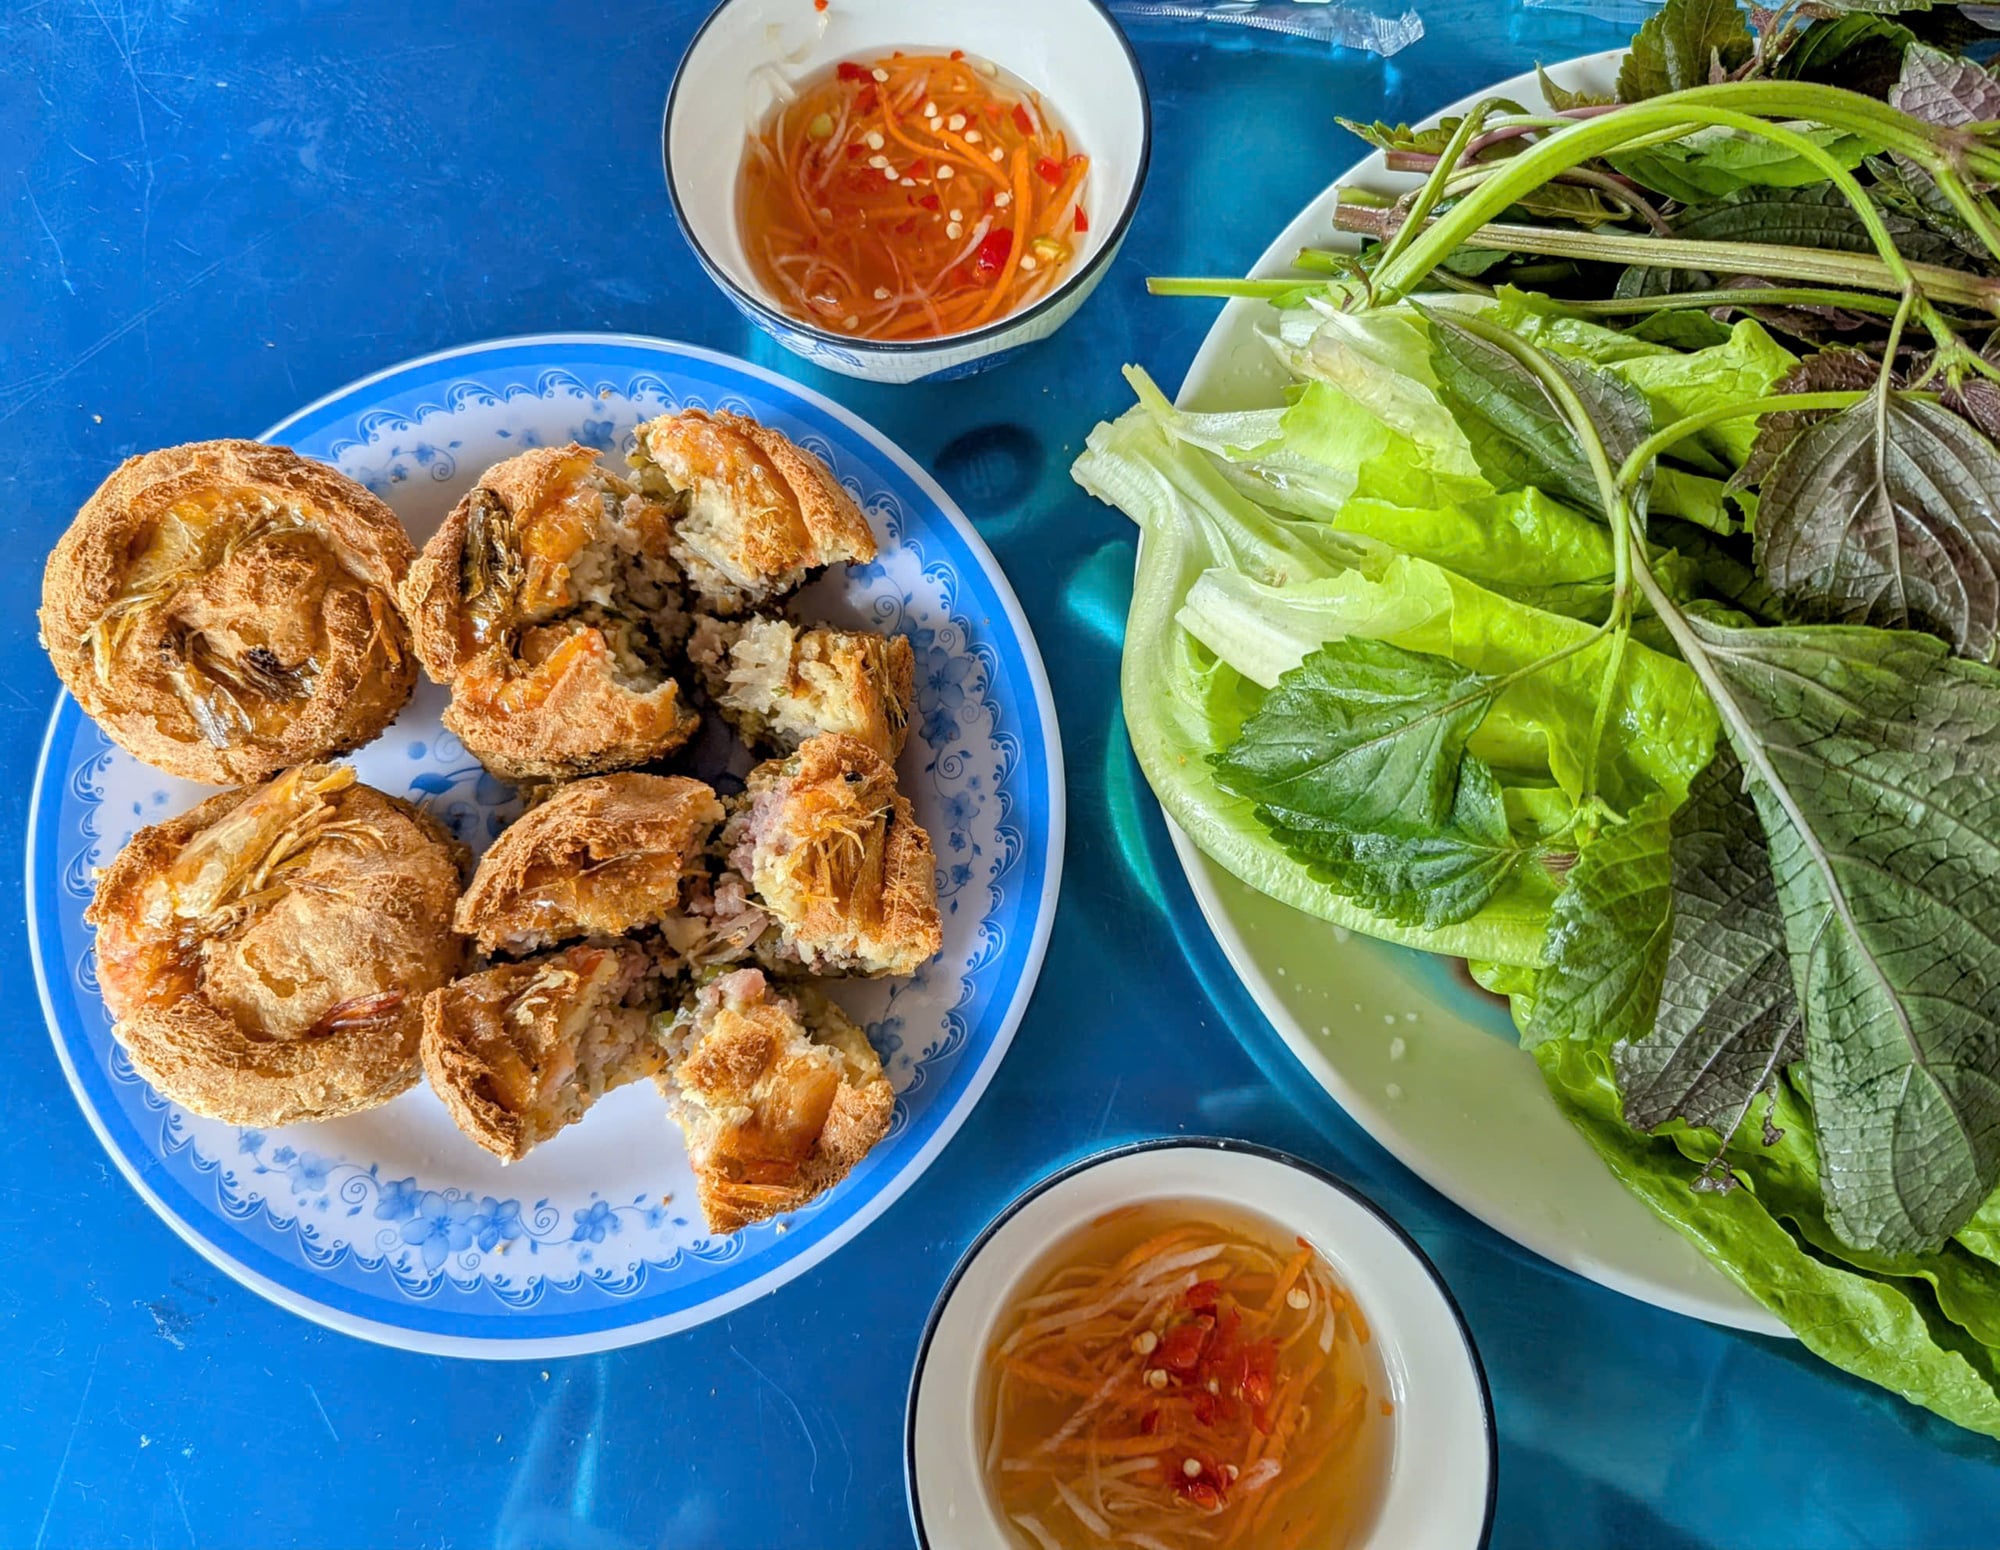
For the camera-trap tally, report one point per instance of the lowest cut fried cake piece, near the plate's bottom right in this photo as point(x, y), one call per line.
point(777, 1093)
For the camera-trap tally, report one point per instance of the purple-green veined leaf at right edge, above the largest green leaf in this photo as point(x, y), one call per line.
point(1889, 513)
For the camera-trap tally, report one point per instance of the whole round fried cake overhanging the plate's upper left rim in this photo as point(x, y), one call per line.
point(229, 609)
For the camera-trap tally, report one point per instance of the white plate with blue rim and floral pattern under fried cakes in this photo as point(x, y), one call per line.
point(395, 1227)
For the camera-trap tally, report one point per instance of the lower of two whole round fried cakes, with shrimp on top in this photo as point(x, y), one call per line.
point(299, 999)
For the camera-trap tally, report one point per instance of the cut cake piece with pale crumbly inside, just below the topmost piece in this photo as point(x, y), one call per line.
point(781, 683)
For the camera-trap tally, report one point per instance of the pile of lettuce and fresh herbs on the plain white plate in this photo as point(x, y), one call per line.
point(1615, 603)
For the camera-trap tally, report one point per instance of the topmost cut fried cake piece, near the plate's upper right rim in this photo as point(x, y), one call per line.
point(761, 513)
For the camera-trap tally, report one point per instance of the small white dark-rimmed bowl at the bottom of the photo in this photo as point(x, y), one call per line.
point(1443, 1455)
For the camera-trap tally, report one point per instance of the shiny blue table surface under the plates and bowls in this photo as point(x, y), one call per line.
point(213, 215)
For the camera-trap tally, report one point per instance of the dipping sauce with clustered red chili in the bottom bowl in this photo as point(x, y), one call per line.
point(1173, 1381)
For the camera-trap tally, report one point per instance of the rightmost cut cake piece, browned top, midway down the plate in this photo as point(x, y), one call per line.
point(837, 855)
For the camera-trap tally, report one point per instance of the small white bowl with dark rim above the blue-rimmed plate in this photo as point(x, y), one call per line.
point(1069, 51)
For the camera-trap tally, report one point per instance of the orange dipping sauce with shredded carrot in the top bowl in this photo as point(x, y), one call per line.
point(911, 197)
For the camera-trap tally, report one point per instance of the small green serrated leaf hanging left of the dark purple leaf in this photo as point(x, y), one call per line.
point(1609, 933)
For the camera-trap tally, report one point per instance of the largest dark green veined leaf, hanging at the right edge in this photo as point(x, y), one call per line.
point(1875, 765)
